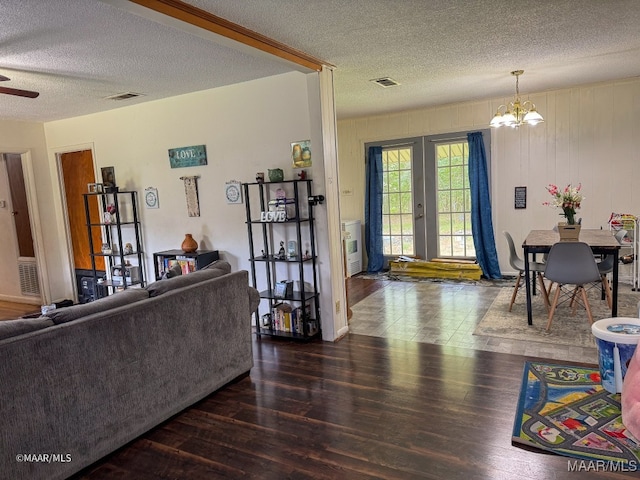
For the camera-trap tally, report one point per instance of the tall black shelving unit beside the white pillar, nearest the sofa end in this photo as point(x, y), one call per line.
point(265, 236)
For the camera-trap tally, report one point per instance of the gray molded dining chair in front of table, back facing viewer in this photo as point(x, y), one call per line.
point(571, 263)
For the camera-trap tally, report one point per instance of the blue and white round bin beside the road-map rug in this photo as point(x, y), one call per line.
point(617, 339)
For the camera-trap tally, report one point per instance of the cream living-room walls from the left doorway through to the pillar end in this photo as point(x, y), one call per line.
point(246, 128)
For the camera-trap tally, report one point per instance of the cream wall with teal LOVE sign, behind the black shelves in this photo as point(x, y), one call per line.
point(246, 128)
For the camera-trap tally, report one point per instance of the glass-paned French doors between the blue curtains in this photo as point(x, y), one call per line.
point(426, 200)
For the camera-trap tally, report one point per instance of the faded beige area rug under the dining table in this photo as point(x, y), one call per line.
point(566, 329)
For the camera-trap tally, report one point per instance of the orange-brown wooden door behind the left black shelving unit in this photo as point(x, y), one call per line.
point(77, 172)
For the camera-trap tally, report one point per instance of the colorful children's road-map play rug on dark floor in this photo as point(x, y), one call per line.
point(565, 410)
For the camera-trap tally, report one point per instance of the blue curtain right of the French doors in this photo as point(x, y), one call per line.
point(481, 223)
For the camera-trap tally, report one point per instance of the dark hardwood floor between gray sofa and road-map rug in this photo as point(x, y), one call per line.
point(361, 408)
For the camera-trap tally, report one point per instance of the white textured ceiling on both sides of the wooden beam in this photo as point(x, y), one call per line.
point(77, 52)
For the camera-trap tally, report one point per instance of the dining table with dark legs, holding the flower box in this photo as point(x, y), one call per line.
point(602, 242)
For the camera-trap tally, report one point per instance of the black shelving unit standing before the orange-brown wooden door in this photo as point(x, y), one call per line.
point(124, 224)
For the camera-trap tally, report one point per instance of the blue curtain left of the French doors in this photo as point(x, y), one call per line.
point(373, 211)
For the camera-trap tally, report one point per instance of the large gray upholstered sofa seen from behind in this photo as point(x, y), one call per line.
point(87, 379)
